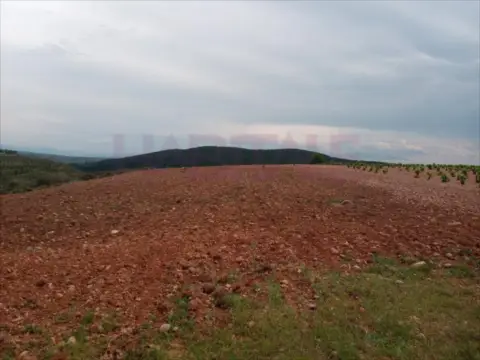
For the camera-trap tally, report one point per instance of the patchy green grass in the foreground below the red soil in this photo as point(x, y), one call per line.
point(388, 311)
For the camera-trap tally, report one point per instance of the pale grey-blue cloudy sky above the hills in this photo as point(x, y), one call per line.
point(378, 80)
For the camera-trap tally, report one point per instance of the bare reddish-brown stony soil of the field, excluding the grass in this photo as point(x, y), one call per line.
point(131, 243)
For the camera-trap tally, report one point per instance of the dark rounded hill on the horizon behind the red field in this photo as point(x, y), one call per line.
point(206, 156)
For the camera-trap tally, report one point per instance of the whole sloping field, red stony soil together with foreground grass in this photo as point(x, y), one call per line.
point(242, 262)
